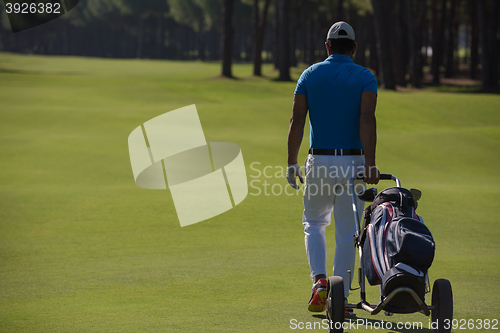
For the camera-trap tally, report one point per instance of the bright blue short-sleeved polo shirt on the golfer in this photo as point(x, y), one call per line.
point(333, 89)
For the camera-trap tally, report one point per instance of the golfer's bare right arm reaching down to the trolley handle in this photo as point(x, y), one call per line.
point(368, 133)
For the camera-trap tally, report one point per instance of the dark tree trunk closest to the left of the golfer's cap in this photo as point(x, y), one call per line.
point(283, 42)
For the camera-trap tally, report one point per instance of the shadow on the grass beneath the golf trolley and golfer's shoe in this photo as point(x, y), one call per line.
point(354, 323)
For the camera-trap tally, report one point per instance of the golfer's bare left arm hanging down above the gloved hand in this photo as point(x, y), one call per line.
point(296, 130)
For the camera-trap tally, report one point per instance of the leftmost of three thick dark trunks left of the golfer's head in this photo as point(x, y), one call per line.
point(227, 37)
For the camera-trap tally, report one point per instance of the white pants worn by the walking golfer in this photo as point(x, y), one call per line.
point(327, 190)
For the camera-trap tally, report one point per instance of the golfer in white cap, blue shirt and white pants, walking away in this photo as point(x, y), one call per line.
point(341, 98)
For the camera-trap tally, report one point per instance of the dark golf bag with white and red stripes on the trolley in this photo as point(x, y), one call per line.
point(398, 248)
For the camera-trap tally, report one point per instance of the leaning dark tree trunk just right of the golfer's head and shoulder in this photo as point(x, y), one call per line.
point(383, 45)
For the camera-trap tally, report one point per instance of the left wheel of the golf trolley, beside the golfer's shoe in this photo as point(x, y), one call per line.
point(335, 310)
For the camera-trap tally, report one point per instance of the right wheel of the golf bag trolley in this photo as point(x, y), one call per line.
point(442, 299)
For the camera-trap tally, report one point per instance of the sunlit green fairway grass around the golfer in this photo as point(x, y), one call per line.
point(83, 249)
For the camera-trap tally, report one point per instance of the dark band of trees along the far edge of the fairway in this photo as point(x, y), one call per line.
point(402, 41)
